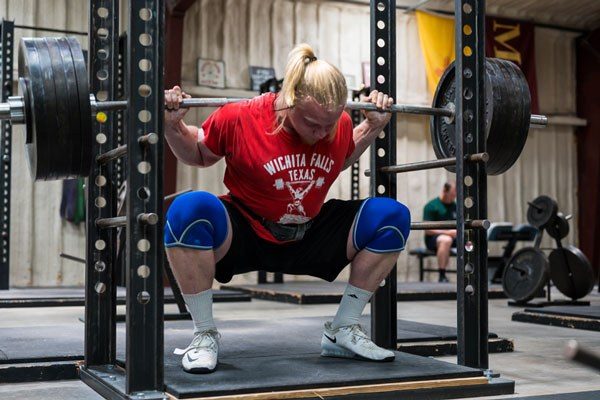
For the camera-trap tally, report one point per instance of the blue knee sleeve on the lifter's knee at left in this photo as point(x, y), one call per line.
point(196, 220)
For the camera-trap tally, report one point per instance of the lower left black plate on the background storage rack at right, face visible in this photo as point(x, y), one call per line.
point(525, 274)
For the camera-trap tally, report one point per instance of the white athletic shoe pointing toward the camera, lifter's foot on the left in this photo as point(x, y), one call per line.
point(200, 357)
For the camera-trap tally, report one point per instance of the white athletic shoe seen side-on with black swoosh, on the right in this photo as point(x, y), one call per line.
point(352, 342)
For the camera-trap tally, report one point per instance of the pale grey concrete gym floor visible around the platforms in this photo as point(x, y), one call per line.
point(537, 364)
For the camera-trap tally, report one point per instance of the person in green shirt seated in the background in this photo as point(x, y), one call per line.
point(442, 208)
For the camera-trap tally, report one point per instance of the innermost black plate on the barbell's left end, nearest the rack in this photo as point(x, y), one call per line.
point(85, 110)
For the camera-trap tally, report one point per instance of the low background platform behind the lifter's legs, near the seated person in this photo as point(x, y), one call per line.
point(318, 292)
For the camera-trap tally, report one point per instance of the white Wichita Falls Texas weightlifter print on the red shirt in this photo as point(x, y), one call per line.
point(299, 178)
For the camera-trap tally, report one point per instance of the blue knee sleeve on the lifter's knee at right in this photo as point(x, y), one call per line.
point(382, 225)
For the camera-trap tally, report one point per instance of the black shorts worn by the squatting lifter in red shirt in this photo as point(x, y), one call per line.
point(321, 252)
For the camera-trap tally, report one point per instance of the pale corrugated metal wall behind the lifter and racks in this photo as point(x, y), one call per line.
point(261, 32)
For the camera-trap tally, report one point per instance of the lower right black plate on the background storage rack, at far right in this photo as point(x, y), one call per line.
point(571, 272)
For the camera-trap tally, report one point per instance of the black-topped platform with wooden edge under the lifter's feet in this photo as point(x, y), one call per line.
point(281, 359)
